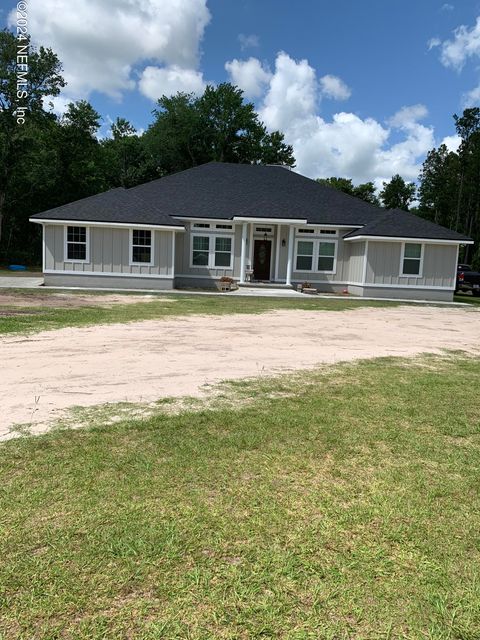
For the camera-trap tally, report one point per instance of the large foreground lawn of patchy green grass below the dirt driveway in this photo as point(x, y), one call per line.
point(334, 505)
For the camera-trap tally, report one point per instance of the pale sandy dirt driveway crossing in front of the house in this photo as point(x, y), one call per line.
point(49, 372)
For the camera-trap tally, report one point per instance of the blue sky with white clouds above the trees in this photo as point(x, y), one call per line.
point(360, 89)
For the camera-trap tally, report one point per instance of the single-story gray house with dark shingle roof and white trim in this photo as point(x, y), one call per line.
point(264, 223)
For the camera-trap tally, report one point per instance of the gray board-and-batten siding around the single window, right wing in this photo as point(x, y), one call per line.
point(439, 265)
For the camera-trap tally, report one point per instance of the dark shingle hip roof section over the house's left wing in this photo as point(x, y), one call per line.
point(117, 205)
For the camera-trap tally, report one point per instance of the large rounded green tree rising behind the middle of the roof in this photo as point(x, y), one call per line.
point(218, 125)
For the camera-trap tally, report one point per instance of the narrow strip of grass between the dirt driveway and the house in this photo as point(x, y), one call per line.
point(50, 317)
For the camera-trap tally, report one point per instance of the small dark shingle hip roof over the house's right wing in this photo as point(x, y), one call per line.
point(396, 223)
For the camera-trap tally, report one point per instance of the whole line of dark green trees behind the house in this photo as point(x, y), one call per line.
point(51, 159)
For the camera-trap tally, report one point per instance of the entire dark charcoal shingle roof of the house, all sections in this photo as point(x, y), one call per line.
point(223, 190)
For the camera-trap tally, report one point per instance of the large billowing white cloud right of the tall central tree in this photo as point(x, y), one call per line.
point(347, 145)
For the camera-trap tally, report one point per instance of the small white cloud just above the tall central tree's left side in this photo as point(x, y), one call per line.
point(156, 82)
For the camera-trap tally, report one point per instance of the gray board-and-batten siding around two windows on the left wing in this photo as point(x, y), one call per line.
point(109, 252)
